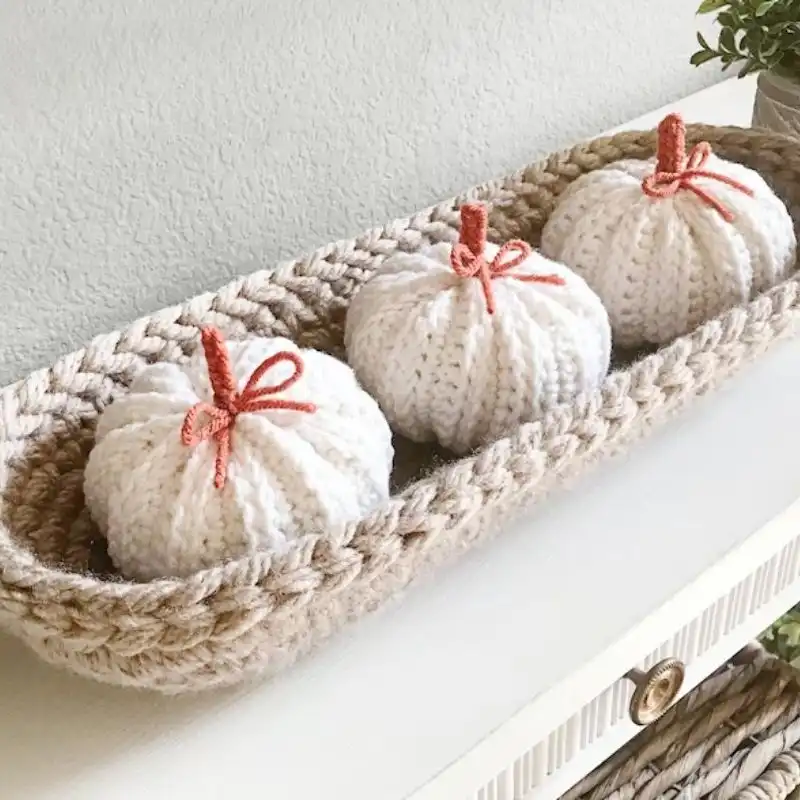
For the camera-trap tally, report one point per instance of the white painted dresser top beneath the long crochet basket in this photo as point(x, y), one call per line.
point(510, 640)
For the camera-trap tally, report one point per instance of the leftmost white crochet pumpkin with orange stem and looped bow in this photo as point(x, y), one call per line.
point(243, 449)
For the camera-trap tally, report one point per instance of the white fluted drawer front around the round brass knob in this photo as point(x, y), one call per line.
point(548, 766)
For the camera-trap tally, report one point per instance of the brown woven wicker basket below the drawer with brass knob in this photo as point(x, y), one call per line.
point(737, 735)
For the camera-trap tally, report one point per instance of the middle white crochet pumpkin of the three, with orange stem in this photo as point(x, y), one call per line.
point(462, 344)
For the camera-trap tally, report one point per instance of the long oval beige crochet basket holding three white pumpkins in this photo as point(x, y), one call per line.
point(253, 616)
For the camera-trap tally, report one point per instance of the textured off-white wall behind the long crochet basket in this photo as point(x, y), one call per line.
point(152, 149)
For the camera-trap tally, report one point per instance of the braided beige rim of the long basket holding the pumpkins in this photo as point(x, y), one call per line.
point(366, 547)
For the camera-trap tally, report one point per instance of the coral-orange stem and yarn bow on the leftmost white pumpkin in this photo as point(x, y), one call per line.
point(229, 403)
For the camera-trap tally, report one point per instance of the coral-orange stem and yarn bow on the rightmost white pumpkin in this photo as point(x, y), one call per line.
point(675, 170)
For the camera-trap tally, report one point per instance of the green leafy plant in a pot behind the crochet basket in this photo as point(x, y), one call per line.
point(760, 36)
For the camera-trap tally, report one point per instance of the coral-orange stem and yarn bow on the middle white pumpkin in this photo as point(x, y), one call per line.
point(467, 258)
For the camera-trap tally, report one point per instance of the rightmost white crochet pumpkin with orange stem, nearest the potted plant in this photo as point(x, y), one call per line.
point(671, 242)
